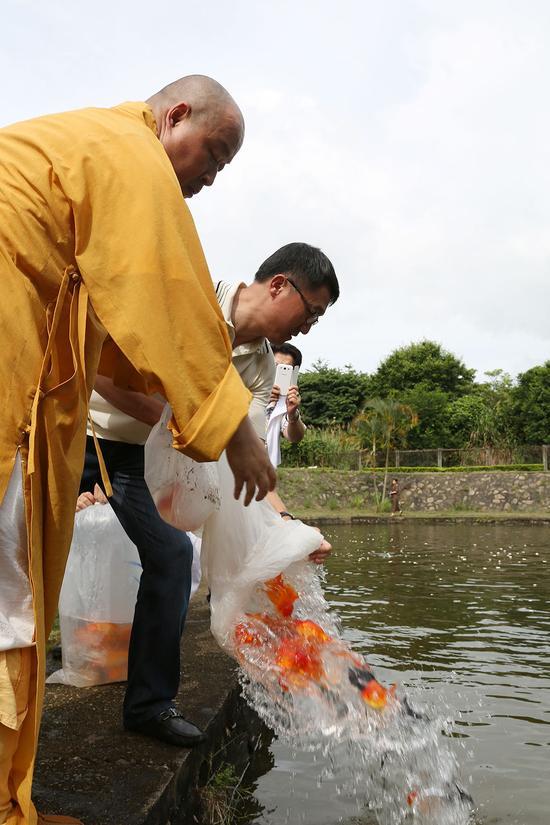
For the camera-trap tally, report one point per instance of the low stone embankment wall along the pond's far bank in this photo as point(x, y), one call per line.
point(333, 490)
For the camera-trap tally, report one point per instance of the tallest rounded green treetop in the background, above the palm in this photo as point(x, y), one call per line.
point(426, 363)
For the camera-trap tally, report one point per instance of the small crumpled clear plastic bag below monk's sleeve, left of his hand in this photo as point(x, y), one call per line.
point(184, 491)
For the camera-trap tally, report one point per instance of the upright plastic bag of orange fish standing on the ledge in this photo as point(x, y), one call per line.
point(97, 600)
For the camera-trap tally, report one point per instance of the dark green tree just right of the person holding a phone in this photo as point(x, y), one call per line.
point(332, 396)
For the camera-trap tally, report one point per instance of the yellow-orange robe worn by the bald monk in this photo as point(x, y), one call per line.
point(96, 245)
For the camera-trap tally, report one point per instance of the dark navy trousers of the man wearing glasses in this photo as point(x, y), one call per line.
point(166, 555)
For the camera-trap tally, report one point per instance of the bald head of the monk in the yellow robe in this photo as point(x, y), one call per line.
point(200, 126)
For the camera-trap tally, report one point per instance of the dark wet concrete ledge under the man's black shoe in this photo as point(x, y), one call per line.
point(89, 767)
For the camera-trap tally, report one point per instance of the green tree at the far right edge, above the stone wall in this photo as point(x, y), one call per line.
point(531, 405)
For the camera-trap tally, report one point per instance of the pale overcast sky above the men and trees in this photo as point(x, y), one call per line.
point(410, 140)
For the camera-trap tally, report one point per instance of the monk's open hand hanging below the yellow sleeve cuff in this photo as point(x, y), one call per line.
point(250, 463)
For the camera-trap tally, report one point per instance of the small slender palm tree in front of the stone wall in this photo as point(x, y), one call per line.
point(381, 423)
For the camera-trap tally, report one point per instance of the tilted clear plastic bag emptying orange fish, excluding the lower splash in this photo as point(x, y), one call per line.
point(269, 612)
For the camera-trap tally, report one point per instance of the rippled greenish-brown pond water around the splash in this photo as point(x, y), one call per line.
point(459, 614)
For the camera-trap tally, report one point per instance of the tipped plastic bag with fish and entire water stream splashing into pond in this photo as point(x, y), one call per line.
point(300, 674)
